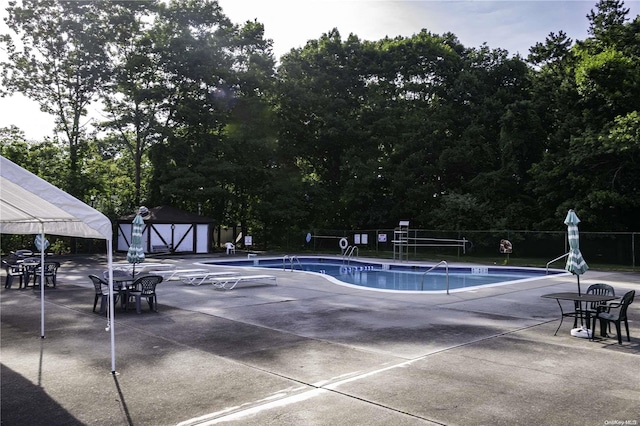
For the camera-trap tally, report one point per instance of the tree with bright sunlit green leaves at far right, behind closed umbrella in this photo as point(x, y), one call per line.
point(594, 89)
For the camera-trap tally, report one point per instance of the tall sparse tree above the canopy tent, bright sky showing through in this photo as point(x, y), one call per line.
point(59, 61)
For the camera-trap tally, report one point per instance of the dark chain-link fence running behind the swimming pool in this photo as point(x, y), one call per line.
point(598, 248)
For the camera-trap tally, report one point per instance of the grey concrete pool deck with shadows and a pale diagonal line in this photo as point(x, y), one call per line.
point(310, 352)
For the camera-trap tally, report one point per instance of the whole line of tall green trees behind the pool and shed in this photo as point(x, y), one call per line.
point(195, 112)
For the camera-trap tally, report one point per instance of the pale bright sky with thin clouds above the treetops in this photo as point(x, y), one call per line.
point(512, 25)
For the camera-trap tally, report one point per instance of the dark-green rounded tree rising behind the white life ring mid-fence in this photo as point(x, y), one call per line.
point(320, 91)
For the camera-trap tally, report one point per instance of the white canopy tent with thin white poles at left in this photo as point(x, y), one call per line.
point(31, 205)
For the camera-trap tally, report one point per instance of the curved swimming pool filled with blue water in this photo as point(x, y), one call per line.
point(397, 277)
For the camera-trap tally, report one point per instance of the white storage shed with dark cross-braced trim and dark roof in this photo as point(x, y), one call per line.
point(169, 230)
